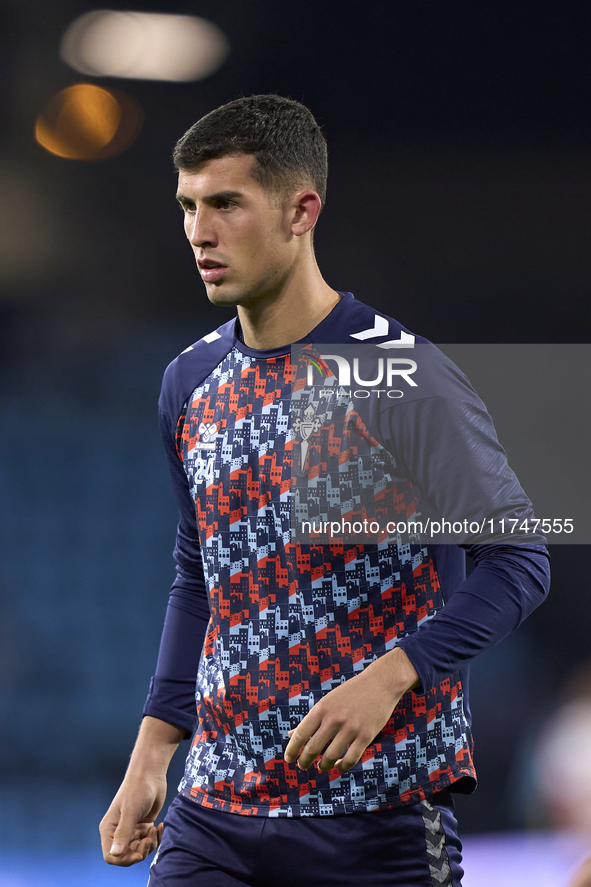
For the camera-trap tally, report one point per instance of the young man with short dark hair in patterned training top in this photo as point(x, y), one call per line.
point(332, 711)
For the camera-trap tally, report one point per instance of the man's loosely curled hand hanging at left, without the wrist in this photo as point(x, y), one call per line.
point(128, 833)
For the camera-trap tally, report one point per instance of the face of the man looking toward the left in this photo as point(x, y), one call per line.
point(241, 236)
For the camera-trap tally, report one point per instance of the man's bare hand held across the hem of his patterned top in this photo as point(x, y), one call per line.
point(345, 721)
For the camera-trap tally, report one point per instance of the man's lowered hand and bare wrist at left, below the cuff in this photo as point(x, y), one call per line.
point(128, 832)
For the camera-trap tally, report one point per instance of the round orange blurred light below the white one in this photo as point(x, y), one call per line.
point(87, 122)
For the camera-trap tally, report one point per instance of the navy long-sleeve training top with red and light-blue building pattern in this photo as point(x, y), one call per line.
point(283, 592)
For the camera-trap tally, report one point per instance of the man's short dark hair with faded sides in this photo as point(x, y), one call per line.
point(282, 134)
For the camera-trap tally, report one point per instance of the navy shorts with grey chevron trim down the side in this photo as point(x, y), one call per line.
point(416, 846)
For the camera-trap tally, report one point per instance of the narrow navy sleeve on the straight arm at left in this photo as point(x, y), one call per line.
point(171, 695)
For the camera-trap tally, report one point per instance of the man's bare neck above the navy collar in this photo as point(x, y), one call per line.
point(288, 315)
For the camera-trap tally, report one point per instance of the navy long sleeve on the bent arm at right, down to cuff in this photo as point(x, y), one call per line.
point(446, 445)
